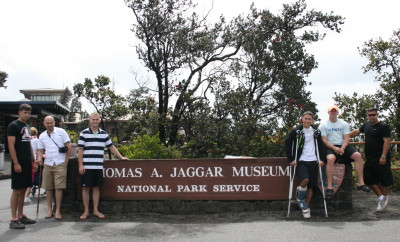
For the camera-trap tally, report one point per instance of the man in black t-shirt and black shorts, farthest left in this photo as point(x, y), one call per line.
point(19, 145)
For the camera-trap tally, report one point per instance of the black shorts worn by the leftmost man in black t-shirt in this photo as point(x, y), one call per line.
point(24, 179)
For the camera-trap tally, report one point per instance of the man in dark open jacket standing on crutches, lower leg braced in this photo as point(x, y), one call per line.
point(302, 145)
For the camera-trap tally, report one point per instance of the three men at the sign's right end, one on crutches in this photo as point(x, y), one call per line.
point(307, 148)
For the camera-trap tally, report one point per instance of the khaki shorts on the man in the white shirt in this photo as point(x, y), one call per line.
point(55, 177)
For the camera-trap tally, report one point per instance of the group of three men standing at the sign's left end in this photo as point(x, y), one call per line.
point(52, 151)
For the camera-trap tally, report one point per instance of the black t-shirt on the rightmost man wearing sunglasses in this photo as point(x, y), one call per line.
point(374, 135)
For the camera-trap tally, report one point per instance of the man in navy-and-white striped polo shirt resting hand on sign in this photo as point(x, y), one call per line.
point(91, 144)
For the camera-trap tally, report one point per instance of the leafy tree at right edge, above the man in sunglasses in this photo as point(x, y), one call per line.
point(383, 59)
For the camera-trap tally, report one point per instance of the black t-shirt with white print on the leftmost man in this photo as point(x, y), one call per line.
point(22, 135)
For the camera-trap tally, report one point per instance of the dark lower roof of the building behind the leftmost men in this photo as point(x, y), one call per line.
point(38, 107)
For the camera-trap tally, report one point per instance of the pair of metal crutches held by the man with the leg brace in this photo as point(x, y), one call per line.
point(292, 176)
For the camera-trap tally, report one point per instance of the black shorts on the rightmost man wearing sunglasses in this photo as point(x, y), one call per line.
point(375, 174)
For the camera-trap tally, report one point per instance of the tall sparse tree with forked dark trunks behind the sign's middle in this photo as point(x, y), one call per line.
point(177, 46)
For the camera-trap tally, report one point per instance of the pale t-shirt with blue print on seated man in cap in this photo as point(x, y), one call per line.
point(334, 131)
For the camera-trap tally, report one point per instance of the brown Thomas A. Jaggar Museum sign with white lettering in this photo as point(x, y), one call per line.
point(196, 179)
